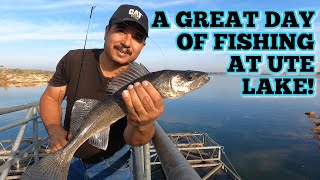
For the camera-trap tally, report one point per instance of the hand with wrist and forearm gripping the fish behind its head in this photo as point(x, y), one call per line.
point(145, 105)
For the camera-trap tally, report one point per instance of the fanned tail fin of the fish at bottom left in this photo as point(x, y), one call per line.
point(52, 167)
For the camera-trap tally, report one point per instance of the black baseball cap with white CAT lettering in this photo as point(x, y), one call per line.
point(130, 13)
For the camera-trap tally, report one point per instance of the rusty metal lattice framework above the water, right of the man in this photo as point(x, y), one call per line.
point(201, 152)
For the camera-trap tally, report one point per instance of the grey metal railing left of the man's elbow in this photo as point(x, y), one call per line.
point(12, 158)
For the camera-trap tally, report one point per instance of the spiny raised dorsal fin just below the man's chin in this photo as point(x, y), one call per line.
point(134, 71)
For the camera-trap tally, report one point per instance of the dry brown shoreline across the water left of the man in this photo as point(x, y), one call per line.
point(23, 77)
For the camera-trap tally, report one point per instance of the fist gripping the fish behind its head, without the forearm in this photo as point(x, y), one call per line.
point(144, 103)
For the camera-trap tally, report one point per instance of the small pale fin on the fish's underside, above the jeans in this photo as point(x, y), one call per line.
point(100, 139)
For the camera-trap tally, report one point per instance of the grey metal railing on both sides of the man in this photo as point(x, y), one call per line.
point(141, 155)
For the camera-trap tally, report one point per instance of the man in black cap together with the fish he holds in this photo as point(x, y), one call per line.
point(112, 103)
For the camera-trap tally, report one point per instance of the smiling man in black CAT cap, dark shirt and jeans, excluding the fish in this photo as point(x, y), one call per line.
point(86, 74)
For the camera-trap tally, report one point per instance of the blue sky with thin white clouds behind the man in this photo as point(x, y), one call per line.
point(35, 34)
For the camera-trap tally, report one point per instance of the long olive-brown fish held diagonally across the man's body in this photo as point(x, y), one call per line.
point(171, 84)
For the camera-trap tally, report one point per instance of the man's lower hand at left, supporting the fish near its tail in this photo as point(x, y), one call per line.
point(59, 138)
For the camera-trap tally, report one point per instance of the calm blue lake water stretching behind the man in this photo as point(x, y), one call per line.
point(265, 138)
